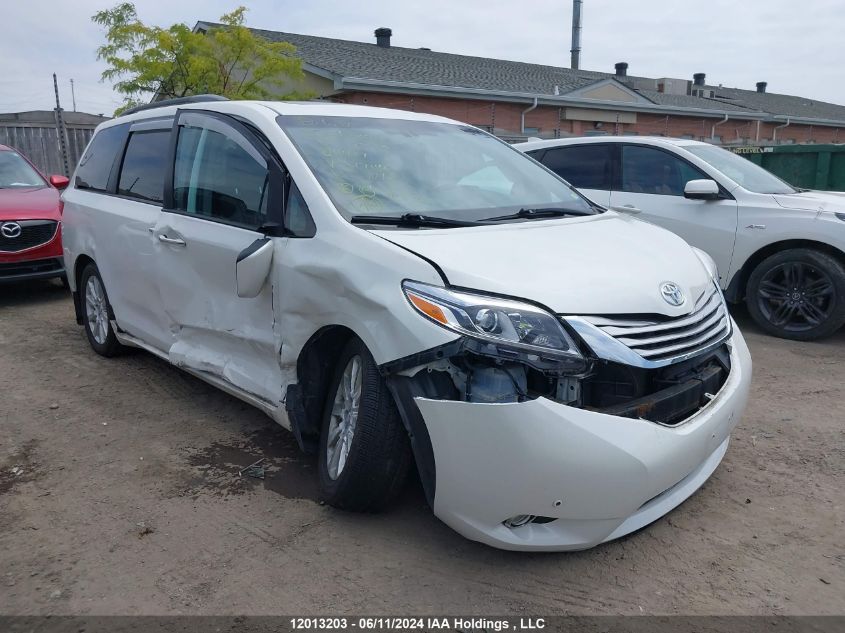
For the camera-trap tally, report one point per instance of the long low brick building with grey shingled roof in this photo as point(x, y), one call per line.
point(516, 100)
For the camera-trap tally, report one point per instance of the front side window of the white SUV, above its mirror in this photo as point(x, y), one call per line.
point(650, 170)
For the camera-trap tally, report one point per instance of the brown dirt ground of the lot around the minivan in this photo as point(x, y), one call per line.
point(119, 494)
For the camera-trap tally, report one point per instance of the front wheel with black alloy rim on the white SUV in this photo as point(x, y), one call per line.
point(798, 294)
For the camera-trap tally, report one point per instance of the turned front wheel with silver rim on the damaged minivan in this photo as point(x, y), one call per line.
point(378, 452)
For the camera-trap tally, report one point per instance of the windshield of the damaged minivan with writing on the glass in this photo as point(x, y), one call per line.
point(392, 167)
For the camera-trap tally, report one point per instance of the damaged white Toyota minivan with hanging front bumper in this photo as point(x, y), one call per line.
point(400, 288)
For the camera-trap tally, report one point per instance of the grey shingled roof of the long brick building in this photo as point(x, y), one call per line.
point(360, 65)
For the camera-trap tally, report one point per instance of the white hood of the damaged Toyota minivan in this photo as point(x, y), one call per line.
point(603, 264)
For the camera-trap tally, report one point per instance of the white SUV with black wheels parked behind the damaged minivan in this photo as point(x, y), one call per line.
point(780, 248)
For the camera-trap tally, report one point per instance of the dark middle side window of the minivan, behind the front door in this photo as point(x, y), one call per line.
point(142, 173)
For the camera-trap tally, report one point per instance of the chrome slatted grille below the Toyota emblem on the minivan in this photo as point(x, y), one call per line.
point(672, 337)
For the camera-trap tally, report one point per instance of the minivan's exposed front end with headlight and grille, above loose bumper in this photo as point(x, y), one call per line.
point(511, 351)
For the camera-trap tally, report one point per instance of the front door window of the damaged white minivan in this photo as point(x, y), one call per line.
point(220, 177)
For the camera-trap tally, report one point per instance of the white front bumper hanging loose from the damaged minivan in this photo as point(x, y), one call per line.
point(597, 476)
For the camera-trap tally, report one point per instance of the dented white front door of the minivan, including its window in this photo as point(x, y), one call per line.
point(221, 209)
